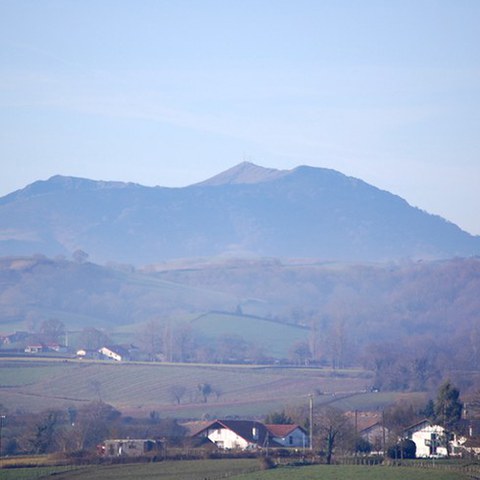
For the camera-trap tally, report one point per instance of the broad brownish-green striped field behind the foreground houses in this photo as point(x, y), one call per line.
point(138, 388)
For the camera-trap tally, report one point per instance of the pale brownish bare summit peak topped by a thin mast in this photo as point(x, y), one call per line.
point(244, 172)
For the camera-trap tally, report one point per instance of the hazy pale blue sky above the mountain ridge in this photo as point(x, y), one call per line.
point(171, 92)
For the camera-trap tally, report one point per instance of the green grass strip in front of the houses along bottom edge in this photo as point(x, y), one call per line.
point(246, 469)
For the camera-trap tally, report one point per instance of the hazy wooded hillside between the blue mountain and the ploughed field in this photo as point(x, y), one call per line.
point(408, 321)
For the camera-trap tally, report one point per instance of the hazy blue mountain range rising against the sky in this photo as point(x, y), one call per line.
point(245, 211)
